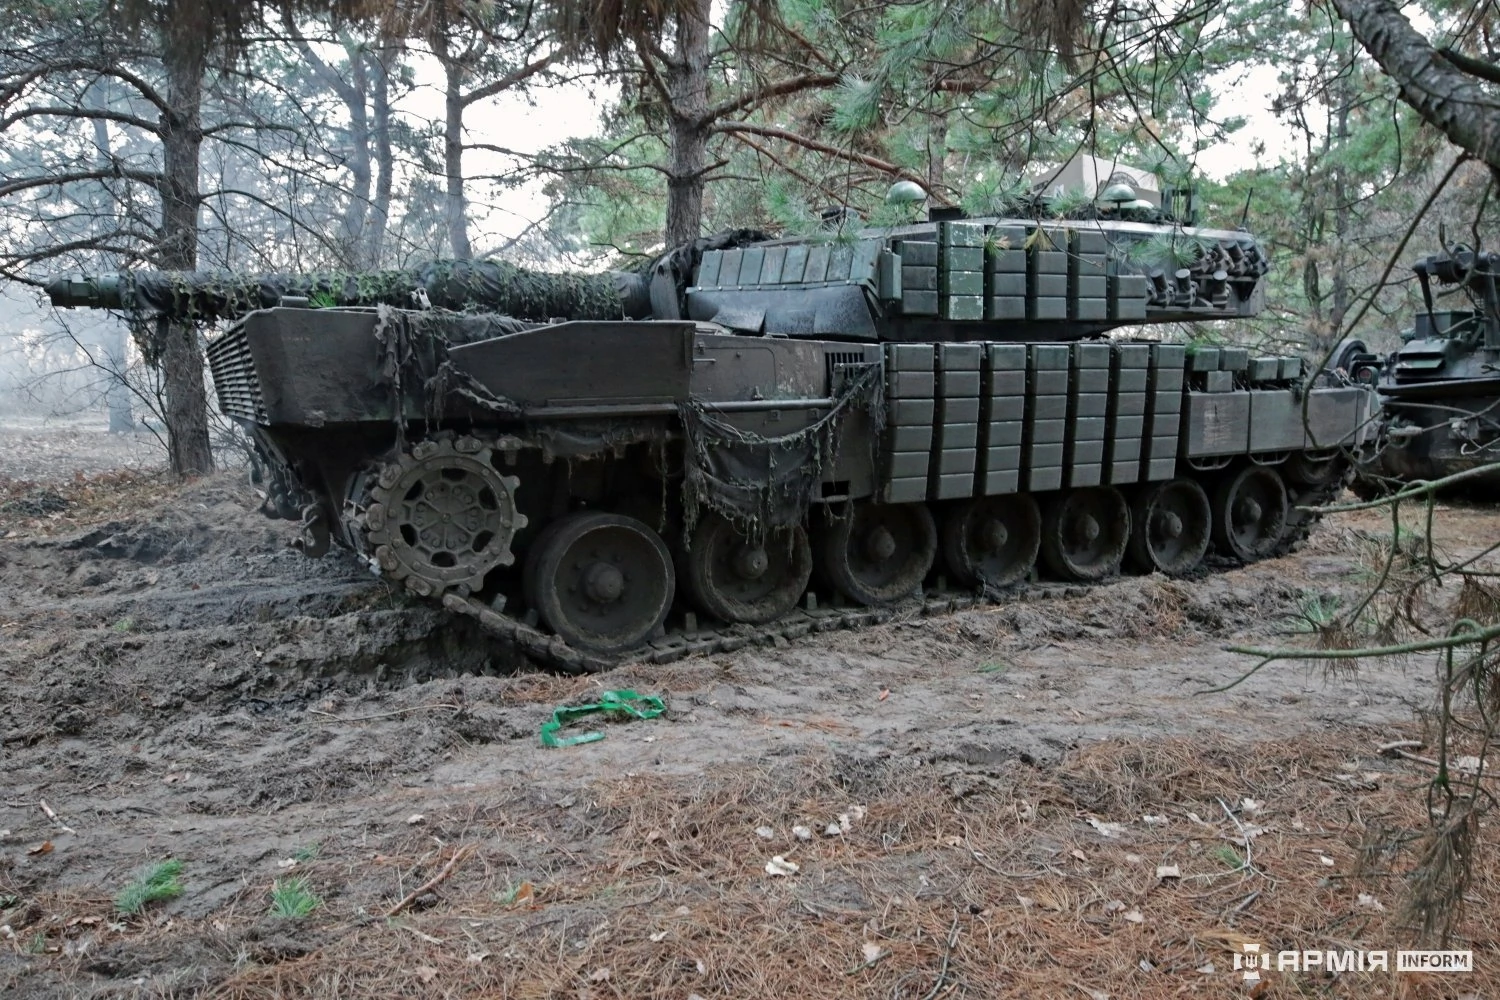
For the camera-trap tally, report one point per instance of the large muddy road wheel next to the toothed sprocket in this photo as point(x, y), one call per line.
point(602, 582)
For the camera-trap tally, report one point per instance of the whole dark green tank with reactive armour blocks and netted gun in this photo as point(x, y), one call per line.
point(754, 439)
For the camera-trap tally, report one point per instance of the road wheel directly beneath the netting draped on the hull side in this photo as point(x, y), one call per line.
point(739, 579)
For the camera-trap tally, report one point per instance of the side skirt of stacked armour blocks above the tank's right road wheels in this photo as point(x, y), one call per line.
point(991, 419)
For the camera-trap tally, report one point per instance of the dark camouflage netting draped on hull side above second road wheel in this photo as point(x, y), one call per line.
point(766, 484)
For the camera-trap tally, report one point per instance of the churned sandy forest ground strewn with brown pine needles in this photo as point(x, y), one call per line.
point(1036, 800)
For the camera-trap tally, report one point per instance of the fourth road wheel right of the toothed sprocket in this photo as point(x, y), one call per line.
point(992, 542)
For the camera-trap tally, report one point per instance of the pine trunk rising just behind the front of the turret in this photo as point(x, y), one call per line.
point(688, 130)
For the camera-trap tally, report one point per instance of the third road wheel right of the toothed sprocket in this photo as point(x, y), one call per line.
point(878, 554)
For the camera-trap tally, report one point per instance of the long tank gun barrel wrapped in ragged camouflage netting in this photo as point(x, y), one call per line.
point(488, 286)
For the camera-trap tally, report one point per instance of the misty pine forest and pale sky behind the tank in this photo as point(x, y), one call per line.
point(355, 136)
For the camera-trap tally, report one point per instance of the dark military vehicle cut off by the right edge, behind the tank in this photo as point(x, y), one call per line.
point(1441, 389)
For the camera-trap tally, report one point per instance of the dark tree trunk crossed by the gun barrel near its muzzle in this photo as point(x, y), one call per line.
point(179, 352)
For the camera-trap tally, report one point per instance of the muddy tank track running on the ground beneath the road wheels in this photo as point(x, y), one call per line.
point(680, 642)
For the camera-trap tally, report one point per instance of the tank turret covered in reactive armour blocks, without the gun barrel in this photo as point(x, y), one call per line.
point(973, 280)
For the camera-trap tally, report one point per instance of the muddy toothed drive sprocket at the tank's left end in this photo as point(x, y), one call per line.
point(442, 516)
